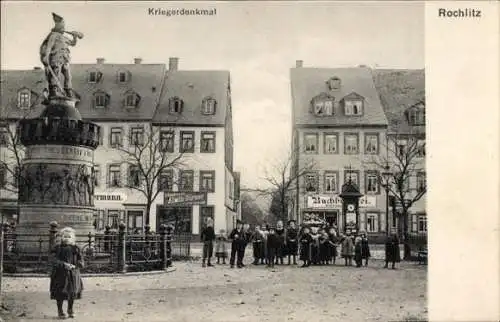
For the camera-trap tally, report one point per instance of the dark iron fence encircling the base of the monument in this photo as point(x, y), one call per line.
point(103, 252)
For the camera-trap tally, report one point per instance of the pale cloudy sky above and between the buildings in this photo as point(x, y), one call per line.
point(257, 42)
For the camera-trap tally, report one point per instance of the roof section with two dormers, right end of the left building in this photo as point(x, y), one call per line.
point(192, 87)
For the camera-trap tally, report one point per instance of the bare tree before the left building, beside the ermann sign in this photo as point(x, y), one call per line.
point(149, 156)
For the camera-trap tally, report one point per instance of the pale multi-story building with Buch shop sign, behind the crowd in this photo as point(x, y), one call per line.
point(339, 132)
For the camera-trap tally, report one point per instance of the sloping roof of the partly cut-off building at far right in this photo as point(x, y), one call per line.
point(400, 89)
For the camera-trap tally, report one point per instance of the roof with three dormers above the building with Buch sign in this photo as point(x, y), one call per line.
point(309, 82)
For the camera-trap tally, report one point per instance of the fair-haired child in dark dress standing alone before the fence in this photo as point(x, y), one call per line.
point(65, 281)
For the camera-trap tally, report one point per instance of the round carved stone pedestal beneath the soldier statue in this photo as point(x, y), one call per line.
point(57, 173)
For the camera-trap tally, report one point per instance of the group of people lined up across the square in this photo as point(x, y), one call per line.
point(271, 245)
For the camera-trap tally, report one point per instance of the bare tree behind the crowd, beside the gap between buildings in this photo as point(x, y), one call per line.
point(282, 178)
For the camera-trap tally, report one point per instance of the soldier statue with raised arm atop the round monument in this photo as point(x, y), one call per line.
point(55, 57)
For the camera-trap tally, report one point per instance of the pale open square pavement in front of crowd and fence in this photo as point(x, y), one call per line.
point(253, 293)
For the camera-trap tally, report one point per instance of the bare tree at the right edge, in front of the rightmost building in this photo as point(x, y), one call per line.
point(403, 161)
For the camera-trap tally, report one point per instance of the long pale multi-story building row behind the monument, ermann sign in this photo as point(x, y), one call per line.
point(186, 113)
